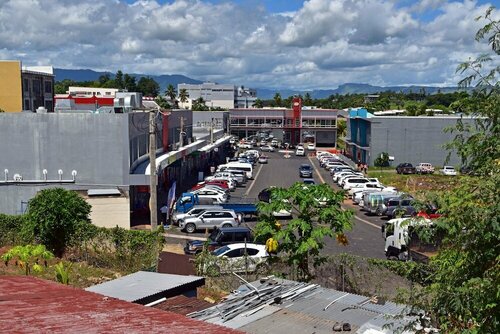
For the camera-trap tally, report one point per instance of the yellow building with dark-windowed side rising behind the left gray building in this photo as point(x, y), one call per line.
point(26, 87)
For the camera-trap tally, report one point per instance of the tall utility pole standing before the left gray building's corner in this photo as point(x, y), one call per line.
point(153, 205)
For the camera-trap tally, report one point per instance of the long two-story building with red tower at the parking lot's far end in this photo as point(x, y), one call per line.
point(289, 125)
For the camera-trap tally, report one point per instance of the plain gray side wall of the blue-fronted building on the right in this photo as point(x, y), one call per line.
point(412, 139)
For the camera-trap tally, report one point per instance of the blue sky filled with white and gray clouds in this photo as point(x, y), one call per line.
point(306, 45)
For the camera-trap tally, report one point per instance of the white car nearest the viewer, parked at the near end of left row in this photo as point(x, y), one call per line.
point(231, 258)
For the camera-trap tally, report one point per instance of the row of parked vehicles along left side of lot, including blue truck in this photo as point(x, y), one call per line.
point(230, 243)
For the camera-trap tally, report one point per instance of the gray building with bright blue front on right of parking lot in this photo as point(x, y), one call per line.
point(405, 138)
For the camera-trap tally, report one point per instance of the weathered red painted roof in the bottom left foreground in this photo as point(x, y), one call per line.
point(33, 305)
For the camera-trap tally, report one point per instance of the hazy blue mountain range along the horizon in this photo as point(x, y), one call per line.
point(263, 93)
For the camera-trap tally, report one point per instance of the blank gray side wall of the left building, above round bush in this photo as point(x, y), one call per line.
point(95, 145)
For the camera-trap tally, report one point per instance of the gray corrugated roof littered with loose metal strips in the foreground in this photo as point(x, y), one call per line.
point(301, 313)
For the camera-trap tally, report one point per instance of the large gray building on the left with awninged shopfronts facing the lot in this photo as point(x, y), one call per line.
point(108, 154)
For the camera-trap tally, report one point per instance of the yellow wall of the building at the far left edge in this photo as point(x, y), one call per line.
point(11, 97)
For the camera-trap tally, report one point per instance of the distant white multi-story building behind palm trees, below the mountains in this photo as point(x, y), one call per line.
point(219, 95)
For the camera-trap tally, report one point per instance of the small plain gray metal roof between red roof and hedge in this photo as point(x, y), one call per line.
point(143, 284)
